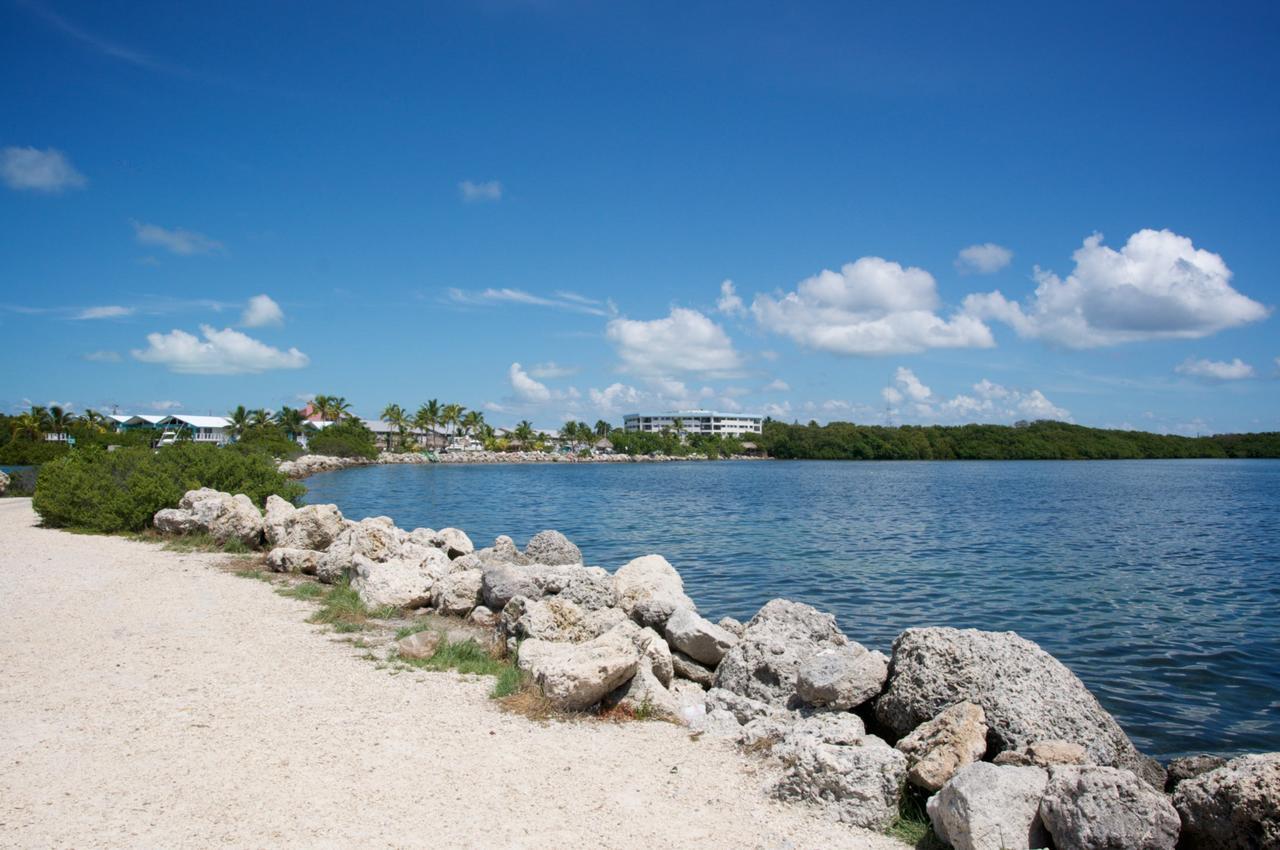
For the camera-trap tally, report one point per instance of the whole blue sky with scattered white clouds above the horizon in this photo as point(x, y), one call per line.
point(548, 211)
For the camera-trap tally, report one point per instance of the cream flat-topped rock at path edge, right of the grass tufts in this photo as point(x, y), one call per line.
point(577, 677)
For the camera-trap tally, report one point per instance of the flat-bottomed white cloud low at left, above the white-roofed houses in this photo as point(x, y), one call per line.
point(221, 353)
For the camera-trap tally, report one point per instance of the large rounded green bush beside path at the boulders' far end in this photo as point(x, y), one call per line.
point(121, 491)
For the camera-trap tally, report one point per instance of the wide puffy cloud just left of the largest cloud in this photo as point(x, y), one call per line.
point(871, 307)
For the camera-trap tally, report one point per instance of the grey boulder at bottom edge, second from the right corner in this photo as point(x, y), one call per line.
point(1103, 808)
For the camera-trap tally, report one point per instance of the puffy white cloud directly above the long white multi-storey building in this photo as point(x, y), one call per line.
point(687, 341)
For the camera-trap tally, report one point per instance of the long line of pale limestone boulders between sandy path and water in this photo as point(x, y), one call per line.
point(1009, 748)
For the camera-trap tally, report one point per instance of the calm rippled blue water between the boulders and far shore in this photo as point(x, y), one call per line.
point(1156, 582)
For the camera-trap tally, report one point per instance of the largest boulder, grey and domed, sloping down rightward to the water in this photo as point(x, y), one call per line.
point(1026, 694)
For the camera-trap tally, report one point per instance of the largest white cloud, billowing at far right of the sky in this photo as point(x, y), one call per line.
point(1159, 286)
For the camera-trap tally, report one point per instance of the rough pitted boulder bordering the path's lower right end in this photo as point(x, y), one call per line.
point(857, 783)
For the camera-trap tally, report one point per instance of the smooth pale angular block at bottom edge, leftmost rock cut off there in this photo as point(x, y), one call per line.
point(989, 807)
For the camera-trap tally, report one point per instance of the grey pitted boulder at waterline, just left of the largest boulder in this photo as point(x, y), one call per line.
point(778, 642)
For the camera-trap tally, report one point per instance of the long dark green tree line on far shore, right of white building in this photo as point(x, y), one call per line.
point(1041, 441)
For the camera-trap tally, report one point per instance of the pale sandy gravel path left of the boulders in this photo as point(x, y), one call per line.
point(149, 700)
